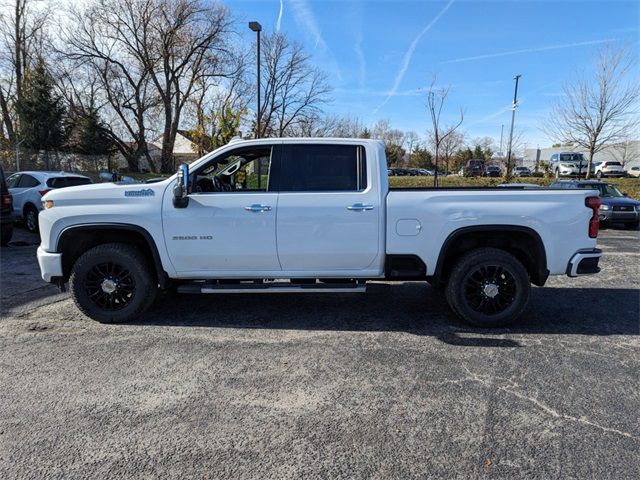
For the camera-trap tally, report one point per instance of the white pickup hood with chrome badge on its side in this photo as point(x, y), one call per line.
point(101, 193)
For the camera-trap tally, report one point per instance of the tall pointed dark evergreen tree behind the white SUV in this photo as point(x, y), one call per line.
point(40, 111)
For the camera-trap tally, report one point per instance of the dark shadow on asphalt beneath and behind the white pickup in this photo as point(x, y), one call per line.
point(407, 307)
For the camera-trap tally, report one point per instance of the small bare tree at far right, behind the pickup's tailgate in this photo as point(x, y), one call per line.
point(600, 109)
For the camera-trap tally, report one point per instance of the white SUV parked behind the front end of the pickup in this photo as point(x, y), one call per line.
point(28, 189)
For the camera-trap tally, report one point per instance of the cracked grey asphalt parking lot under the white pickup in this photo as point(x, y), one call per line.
point(388, 384)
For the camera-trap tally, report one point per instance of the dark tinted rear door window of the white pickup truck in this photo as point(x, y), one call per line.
point(323, 168)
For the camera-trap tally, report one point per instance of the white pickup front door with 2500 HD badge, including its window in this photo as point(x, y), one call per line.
point(229, 225)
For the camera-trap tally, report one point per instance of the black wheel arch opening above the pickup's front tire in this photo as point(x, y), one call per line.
point(75, 240)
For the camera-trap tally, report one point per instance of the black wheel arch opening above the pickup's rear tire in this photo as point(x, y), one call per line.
point(522, 242)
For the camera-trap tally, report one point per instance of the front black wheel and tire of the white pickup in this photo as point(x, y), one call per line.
point(117, 267)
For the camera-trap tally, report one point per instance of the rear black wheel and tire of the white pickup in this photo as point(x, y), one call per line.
point(482, 273)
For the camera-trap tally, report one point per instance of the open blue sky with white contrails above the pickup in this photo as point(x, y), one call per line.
point(380, 54)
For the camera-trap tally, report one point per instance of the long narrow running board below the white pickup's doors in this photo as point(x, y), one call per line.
point(195, 288)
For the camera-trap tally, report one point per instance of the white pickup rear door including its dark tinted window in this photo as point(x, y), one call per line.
point(328, 212)
